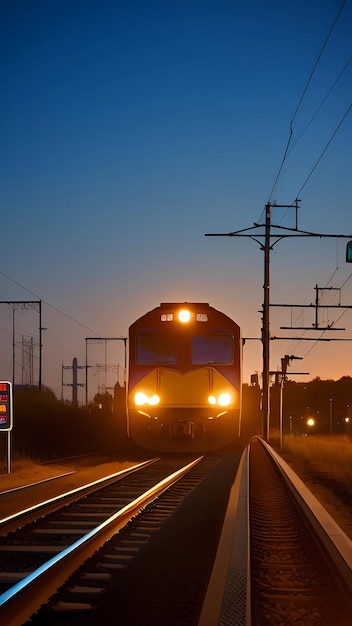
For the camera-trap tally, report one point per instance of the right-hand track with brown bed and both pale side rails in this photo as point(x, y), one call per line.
point(287, 562)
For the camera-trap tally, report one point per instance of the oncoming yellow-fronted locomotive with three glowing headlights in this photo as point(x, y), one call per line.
point(184, 379)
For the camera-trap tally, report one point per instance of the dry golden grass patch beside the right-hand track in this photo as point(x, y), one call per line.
point(329, 458)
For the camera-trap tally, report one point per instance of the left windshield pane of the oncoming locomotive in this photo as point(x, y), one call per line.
point(152, 348)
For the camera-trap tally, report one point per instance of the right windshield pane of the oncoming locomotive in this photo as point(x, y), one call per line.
point(208, 349)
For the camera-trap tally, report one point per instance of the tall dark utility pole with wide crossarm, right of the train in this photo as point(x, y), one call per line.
point(280, 232)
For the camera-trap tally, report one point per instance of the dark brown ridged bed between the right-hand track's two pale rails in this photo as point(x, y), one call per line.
point(293, 576)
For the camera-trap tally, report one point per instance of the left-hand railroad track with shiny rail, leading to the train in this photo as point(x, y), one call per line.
point(39, 557)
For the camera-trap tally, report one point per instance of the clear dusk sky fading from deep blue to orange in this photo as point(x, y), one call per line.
point(129, 129)
